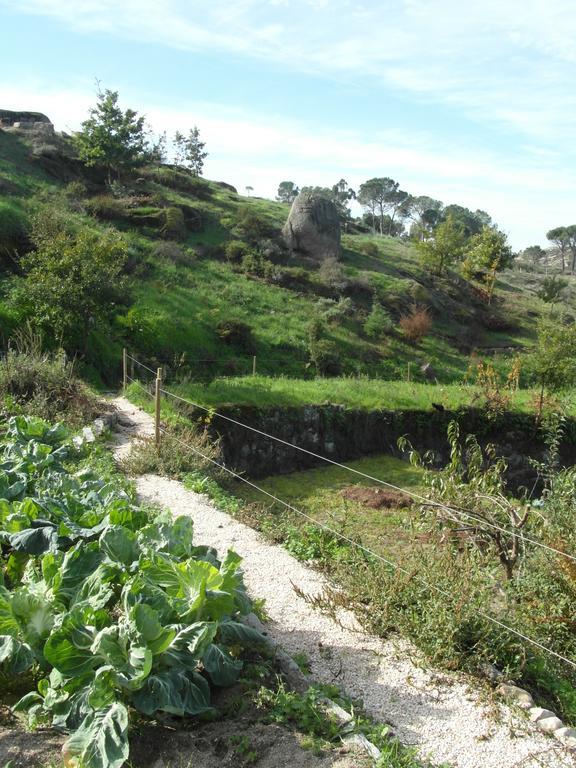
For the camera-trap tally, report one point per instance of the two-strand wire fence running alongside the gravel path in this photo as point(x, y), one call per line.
point(348, 540)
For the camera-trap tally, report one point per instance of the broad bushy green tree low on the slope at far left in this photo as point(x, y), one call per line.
point(73, 282)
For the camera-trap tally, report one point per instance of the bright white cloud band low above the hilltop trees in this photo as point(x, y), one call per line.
point(527, 197)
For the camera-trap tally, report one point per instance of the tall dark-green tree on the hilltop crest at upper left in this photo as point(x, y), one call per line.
point(111, 137)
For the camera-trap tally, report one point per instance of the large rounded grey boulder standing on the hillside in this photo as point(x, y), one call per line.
point(313, 227)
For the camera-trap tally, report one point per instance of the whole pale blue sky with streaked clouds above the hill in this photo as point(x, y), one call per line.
point(469, 103)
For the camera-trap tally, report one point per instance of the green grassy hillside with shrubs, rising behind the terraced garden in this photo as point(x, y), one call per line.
point(201, 309)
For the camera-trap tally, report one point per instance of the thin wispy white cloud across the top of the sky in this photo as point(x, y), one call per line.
point(500, 61)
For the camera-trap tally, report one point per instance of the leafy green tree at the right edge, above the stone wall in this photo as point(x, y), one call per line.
point(554, 358)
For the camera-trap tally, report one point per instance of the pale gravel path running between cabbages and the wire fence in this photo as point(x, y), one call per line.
point(445, 716)
